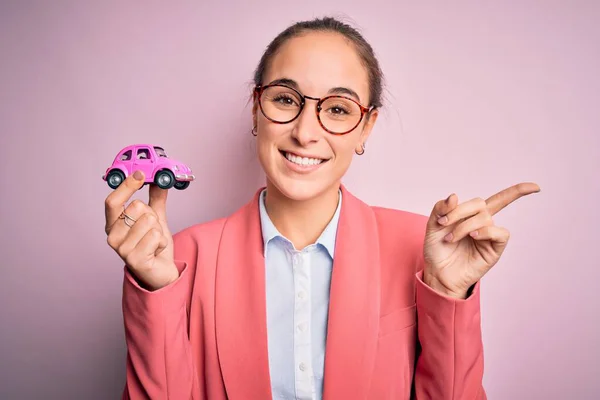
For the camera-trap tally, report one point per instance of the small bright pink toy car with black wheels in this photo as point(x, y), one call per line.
point(152, 160)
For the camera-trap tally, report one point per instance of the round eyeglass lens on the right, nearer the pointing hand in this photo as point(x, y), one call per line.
point(340, 115)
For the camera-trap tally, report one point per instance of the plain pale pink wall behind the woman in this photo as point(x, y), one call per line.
point(480, 96)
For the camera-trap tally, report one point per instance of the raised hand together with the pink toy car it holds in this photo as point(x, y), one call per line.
point(139, 232)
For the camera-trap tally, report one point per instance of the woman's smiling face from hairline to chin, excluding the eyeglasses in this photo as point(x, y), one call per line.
point(316, 64)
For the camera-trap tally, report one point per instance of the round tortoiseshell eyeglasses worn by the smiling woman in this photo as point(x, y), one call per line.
point(337, 114)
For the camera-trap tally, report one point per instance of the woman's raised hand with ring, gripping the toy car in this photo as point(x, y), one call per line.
point(147, 245)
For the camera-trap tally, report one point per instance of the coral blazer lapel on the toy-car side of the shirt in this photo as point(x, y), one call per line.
point(240, 307)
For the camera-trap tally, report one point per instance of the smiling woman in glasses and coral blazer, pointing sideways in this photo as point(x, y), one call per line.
point(306, 292)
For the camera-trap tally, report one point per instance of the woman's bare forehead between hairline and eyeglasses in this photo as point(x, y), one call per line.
point(319, 61)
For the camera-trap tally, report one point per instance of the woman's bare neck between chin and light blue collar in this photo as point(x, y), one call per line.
point(302, 222)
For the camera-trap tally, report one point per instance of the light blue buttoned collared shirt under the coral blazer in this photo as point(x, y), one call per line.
point(297, 284)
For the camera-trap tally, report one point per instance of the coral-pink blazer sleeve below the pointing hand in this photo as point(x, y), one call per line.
point(450, 363)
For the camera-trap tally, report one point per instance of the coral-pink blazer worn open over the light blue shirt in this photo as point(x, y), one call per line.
point(389, 335)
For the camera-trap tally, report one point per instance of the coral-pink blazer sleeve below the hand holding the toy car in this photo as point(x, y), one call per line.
point(159, 357)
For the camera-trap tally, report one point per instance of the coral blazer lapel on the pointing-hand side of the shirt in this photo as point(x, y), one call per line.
point(354, 303)
